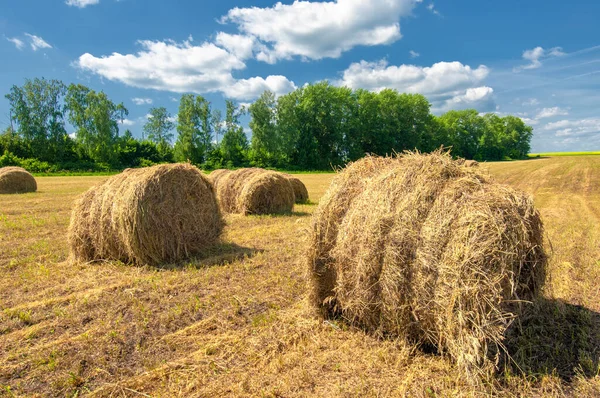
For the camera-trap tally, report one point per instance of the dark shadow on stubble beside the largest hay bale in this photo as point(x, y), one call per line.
point(553, 336)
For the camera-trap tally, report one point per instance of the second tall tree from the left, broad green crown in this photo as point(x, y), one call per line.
point(96, 118)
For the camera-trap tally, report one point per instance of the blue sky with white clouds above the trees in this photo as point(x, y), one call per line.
point(536, 59)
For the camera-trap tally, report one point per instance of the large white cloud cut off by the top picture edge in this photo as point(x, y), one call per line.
point(316, 30)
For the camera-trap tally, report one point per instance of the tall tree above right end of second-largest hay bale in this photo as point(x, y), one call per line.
point(194, 129)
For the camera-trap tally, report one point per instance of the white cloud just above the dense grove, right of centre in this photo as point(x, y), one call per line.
point(446, 84)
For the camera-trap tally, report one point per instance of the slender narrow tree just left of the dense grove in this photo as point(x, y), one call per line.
point(234, 145)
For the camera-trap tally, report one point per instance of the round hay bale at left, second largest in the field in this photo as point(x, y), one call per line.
point(155, 215)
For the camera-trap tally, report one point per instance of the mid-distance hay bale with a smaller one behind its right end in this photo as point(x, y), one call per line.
point(255, 191)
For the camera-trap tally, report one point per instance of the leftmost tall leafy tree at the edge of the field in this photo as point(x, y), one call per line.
point(38, 109)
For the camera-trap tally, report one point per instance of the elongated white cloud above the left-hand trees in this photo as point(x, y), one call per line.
point(182, 67)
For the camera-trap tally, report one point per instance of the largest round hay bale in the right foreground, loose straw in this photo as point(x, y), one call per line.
point(421, 247)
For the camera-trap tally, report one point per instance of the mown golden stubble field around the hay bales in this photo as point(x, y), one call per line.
point(236, 323)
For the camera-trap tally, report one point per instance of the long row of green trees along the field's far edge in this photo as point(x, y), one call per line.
point(315, 127)
